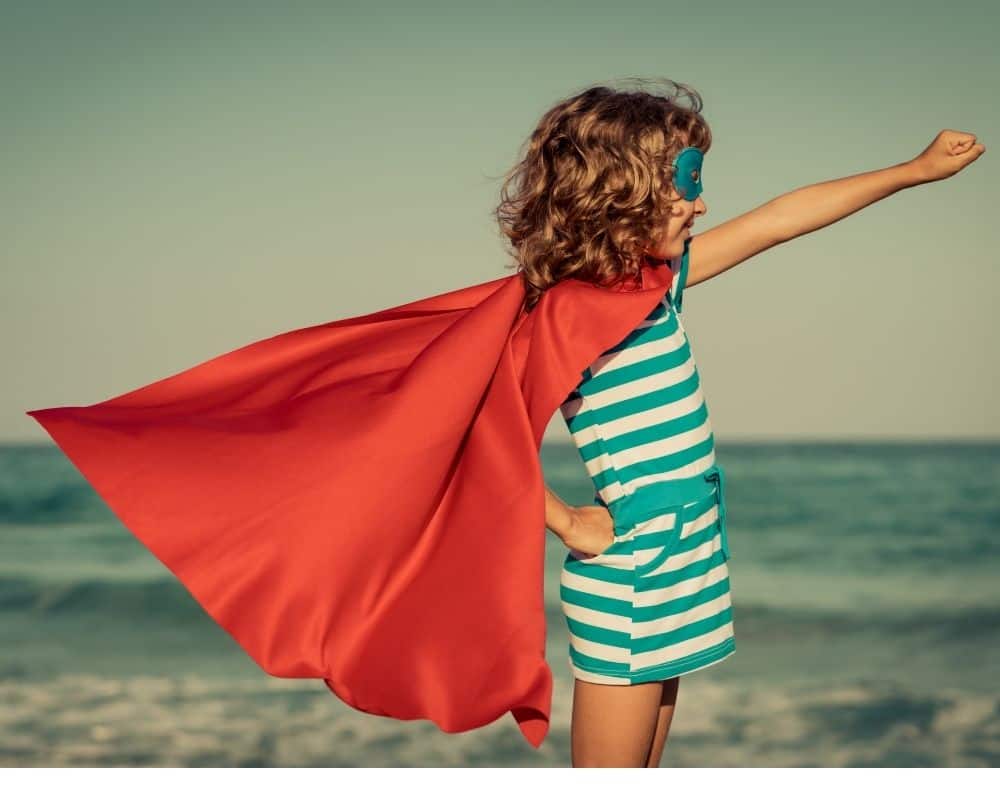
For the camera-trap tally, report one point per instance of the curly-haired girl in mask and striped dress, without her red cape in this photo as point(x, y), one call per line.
point(612, 179)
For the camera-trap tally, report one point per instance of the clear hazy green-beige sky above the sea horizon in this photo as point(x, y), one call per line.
point(180, 179)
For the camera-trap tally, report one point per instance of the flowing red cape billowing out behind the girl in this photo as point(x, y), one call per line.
point(362, 501)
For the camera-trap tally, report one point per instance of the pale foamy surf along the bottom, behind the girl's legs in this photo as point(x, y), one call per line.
point(182, 720)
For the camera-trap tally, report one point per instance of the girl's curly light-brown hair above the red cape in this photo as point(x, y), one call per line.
point(594, 183)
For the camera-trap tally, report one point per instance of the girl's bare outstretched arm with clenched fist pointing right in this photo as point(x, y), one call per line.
point(816, 206)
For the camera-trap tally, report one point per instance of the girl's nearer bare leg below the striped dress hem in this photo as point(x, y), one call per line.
point(614, 726)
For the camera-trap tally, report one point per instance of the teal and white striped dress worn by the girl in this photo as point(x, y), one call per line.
point(651, 606)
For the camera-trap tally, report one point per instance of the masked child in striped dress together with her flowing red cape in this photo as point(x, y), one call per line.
point(361, 501)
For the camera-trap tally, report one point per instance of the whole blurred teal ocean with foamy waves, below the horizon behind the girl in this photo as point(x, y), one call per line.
point(866, 586)
